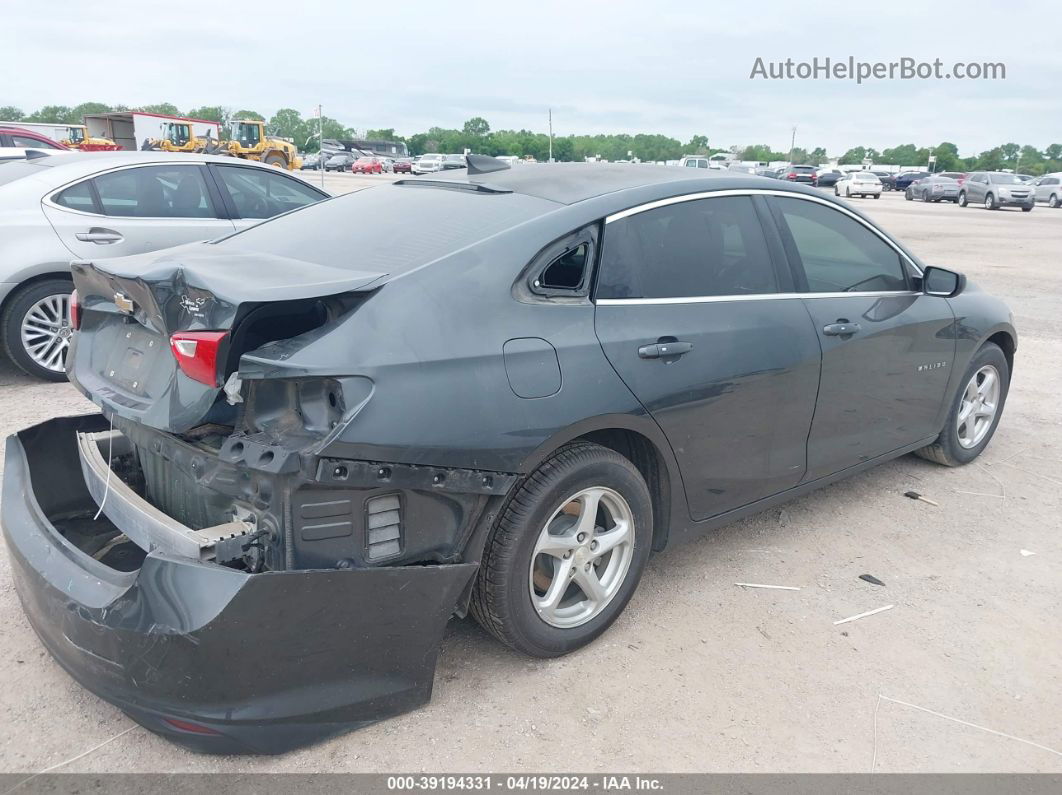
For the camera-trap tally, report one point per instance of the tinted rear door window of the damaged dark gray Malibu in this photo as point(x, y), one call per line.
point(705, 248)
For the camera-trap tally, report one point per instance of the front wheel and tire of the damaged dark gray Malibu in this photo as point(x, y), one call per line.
point(975, 411)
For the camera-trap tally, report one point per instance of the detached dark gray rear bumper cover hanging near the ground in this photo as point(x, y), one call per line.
point(270, 662)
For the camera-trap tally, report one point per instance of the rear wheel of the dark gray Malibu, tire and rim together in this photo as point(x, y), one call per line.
point(568, 552)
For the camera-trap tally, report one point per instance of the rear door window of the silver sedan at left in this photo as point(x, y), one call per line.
point(156, 192)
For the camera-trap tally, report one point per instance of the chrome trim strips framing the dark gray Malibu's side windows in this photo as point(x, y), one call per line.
point(765, 297)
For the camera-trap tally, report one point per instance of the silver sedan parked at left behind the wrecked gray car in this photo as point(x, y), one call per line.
point(68, 206)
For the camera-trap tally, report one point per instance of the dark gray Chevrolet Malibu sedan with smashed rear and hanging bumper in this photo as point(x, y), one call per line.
point(495, 391)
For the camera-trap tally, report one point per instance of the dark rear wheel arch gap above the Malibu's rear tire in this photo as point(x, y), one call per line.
point(642, 442)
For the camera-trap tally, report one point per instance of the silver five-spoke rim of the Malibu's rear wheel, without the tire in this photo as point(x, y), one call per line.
point(583, 558)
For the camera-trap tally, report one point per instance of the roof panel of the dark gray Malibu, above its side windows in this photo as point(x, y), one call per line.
point(570, 183)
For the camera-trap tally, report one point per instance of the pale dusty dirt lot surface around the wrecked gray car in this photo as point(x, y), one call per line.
point(700, 675)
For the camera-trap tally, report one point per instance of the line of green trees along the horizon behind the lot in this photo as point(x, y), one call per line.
point(477, 136)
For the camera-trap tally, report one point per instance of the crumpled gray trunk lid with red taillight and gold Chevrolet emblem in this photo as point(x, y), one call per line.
point(160, 334)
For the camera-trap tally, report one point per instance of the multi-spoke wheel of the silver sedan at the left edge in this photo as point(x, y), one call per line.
point(42, 299)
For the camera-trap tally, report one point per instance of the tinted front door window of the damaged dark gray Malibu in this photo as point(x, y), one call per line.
point(838, 254)
